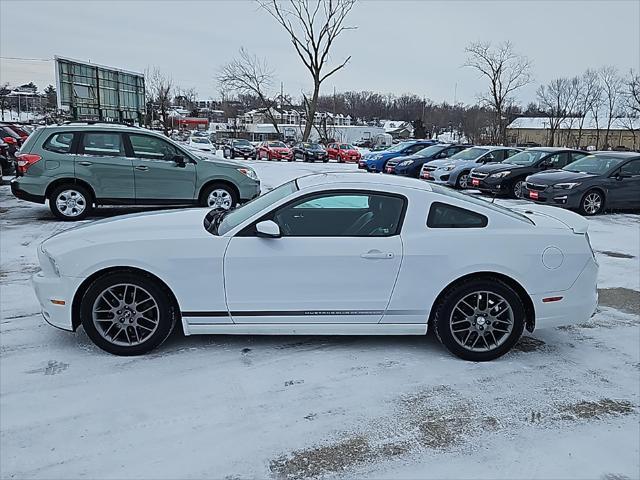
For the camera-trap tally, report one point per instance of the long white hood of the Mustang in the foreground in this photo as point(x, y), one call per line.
point(130, 228)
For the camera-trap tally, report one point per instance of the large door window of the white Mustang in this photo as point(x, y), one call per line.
point(342, 215)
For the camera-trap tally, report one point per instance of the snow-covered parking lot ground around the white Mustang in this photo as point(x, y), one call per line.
point(564, 404)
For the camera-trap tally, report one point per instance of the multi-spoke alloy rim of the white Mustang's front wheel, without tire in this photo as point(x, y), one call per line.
point(125, 314)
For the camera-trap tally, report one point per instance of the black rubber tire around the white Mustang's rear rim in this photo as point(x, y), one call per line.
point(444, 315)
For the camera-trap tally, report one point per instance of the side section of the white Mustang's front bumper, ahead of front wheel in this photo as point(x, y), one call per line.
point(60, 289)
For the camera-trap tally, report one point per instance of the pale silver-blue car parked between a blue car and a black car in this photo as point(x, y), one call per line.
point(454, 171)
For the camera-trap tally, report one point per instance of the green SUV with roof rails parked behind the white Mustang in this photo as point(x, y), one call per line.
point(79, 166)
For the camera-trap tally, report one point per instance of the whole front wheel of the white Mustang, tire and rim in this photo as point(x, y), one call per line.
point(126, 314)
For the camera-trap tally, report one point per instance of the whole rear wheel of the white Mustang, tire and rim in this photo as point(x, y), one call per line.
point(480, 320)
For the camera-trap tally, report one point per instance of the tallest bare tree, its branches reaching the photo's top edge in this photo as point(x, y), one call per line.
point(313, 27)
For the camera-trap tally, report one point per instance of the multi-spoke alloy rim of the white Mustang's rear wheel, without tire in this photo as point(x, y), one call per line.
point(481, 321)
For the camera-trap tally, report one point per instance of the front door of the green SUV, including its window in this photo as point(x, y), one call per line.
point(158, 177)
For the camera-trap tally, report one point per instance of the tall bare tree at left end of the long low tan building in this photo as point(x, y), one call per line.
point(506, 71)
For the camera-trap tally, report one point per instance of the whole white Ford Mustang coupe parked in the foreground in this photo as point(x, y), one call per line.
point(330, 254)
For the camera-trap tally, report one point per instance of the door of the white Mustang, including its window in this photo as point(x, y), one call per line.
point(336, 262)
